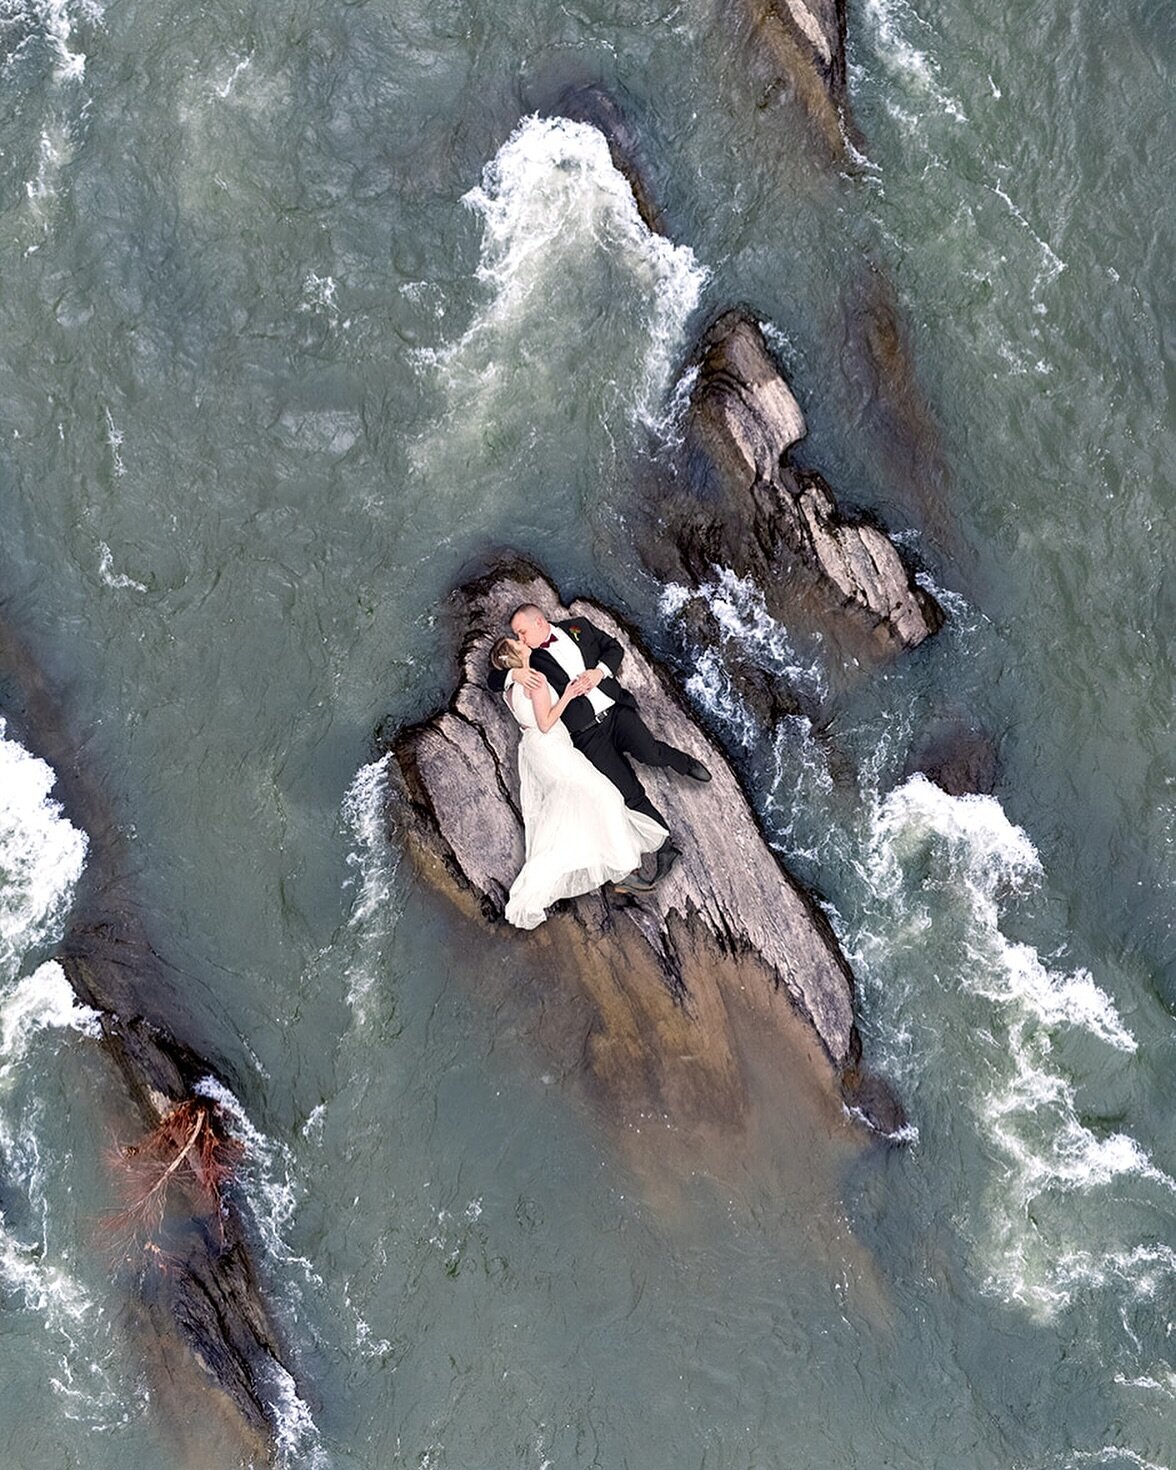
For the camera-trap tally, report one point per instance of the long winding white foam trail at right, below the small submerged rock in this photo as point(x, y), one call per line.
point(1022, 1093)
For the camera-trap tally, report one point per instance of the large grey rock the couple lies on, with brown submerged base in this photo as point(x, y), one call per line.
point(653, 994)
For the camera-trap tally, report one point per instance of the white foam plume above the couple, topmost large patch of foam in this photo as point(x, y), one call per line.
point(561, 233)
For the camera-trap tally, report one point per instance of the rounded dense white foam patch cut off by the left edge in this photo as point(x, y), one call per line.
point(42, 856)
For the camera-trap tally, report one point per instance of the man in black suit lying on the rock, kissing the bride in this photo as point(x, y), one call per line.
point(603, 723)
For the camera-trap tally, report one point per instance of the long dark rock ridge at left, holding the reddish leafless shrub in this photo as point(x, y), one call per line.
point(204, 1316)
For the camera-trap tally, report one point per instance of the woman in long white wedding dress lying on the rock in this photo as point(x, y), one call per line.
point(577, 830)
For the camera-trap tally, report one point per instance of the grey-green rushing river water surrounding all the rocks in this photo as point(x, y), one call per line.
point(304, 308)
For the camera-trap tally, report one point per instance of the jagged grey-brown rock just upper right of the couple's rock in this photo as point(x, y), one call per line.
point(745, 506)
